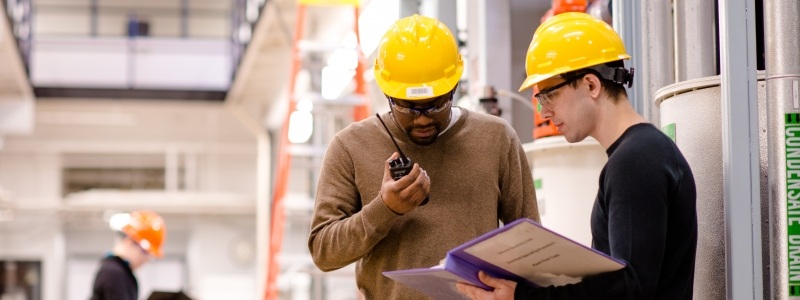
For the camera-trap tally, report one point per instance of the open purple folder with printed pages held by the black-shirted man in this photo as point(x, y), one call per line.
point(521, 251)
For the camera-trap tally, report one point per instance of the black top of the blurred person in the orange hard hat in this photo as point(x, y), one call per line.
point(115, 281)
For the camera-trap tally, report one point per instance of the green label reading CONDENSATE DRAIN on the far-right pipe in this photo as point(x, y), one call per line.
point(792, 139)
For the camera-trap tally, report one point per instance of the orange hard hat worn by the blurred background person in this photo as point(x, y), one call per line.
point(147, 229)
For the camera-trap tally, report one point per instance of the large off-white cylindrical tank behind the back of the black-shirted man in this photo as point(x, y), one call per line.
point(690, 113)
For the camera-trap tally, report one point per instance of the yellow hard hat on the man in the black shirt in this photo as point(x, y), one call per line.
point(568, 42)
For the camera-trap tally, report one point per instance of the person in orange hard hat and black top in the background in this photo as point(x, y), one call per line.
point(141, 238)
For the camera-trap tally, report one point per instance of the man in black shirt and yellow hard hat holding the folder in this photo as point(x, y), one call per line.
point(644, 213)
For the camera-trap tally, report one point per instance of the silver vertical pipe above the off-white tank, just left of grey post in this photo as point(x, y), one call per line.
point(695, 36)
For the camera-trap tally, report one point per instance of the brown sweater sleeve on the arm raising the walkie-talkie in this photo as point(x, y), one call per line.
point(342, 231)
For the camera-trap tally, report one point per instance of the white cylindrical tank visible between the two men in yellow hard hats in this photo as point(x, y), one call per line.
point(565, 176)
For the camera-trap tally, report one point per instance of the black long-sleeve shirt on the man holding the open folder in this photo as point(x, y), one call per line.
point(644, 214)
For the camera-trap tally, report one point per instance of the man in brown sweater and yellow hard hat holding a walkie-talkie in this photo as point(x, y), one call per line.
point(471, 166)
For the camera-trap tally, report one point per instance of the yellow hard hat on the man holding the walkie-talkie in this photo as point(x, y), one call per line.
point(418, 59)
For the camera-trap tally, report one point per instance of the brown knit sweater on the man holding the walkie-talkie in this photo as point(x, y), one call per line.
point(479, 174)
